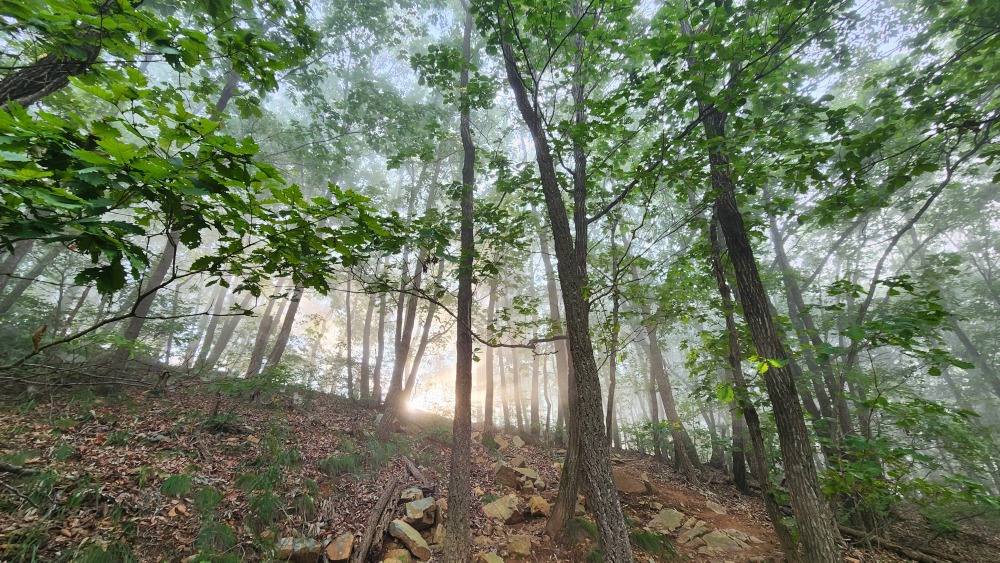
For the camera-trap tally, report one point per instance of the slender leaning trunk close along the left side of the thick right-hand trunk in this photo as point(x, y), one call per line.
point(758, 452)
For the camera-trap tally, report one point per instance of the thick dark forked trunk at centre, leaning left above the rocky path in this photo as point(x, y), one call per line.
point(587, 422)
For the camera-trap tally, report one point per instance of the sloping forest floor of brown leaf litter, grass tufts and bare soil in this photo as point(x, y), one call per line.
point(107, 475)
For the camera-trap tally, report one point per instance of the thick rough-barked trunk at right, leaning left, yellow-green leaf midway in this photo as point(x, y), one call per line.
point(817, 528)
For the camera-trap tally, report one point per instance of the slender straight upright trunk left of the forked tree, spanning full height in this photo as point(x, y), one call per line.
point(458, 534)
